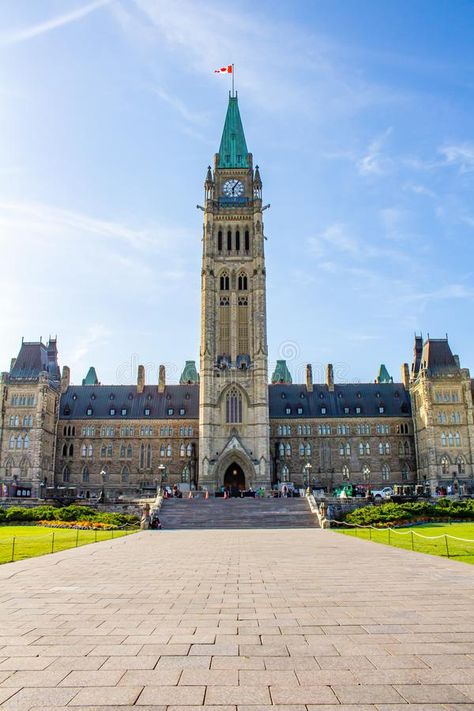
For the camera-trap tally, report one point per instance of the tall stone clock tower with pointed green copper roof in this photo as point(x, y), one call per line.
point(233, 407)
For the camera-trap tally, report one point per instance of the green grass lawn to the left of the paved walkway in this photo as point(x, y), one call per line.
point(18, 542)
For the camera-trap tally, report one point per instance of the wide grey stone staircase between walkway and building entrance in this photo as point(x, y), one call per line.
point(237, 513)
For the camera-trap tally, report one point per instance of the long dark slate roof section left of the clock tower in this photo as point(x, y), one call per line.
point(102, 398)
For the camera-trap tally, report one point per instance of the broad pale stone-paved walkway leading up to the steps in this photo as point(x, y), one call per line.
point(238, 621)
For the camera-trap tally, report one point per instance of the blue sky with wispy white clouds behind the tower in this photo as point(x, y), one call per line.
point(359, 113)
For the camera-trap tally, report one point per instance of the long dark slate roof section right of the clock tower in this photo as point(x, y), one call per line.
point(369, 397)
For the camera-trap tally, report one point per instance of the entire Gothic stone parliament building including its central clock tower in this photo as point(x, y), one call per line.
point(228, 425)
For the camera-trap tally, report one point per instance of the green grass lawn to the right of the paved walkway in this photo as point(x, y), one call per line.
point(434, 538)
